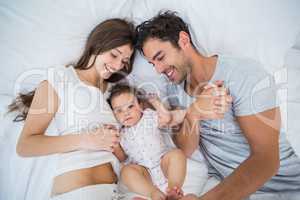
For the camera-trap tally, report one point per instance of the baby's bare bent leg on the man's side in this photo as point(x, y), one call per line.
point(173, 165)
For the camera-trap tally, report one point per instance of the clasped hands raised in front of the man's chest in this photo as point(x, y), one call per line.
point(212, 103)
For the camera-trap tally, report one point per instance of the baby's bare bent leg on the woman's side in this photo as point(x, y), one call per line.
point(138, 180)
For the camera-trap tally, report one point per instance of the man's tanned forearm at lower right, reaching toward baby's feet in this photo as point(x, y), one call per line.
point(245, 180)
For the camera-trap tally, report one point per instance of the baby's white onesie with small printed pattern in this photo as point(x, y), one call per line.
point(144, 143)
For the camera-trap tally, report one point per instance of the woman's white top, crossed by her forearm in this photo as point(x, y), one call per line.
point(82, 108)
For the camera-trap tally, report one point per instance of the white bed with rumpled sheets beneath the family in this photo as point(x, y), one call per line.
point(37, 34)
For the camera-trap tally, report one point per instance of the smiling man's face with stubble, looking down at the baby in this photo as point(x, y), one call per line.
point(167, 59)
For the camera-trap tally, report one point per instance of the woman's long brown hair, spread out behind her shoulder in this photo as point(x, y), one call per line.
point(105, 36)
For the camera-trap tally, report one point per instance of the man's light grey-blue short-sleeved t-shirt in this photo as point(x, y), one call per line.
point(222, 141)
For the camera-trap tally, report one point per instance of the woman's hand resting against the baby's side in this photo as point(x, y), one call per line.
point(104, 138)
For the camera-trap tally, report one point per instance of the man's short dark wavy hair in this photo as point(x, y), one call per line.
point(165, 26)
